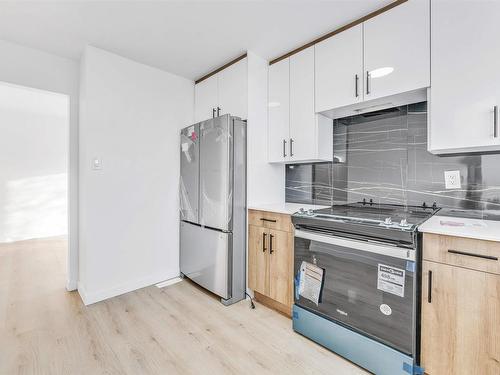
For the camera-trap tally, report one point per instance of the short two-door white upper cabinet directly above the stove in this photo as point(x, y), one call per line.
point(384, 60)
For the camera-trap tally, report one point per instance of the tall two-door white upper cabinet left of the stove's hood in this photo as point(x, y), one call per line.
point(296, 133)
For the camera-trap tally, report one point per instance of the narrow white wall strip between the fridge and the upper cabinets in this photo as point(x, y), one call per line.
point(265, 182)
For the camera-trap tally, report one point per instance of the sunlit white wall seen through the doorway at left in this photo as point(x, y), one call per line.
point(34, 127)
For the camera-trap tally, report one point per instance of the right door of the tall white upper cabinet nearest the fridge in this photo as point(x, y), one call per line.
point(302, 143)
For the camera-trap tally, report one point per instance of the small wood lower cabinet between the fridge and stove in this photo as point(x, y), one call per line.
point(270, 259)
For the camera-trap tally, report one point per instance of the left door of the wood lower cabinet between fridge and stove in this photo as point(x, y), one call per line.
point(258, 272)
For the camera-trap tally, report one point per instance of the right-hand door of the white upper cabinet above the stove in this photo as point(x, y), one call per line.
point(397, 50)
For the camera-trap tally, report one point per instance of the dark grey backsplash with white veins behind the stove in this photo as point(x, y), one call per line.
point(383, 156)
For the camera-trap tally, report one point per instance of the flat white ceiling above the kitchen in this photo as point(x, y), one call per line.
point(188, 38)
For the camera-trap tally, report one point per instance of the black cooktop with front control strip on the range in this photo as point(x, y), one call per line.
point(389, 222)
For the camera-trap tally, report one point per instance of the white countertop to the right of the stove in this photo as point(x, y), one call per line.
point(460, 227)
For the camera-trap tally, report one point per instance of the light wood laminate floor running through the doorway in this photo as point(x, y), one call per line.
point(179, 329)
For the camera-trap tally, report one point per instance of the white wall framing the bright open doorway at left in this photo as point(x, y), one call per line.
point(33, 68)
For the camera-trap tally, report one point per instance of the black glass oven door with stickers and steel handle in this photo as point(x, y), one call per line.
point(366, 286)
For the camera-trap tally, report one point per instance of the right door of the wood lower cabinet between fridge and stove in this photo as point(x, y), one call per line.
point(281, 266)
